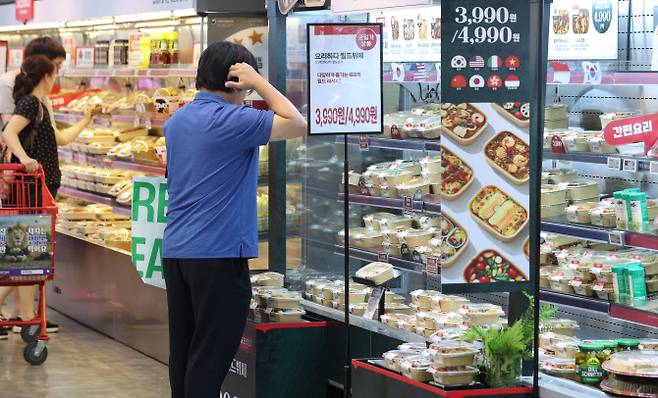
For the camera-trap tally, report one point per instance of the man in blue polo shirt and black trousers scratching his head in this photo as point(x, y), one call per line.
point(212, 164)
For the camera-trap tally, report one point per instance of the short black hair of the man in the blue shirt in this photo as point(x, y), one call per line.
point(215, 62)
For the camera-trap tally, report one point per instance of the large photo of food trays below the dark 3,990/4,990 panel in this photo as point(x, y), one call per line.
point(486, 191)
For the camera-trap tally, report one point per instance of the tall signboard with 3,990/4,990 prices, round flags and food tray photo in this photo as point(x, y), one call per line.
point(486, 143)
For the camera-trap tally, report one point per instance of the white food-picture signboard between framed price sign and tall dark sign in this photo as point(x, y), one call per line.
point(411, 35)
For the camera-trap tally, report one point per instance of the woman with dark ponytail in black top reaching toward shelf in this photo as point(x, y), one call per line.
point(33, 140)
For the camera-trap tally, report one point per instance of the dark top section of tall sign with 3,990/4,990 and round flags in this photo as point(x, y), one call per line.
point(485, 51)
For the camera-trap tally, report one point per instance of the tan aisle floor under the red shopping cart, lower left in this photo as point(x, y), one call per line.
point(81, 363)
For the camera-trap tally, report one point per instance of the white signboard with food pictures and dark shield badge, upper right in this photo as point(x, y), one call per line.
point(583, 30)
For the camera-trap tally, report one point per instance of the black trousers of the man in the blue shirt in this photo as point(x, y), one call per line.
point(208, 305)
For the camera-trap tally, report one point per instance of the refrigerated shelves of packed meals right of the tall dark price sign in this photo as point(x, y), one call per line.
point(583, 286)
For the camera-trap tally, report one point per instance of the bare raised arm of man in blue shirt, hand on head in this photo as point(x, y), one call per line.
point(288, 122)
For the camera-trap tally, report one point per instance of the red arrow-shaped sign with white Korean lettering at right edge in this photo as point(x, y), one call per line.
point(633, 129)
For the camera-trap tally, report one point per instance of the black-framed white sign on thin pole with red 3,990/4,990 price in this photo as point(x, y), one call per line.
point(345, 79)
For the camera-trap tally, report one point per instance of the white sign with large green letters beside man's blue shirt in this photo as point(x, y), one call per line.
point(149, 218)
